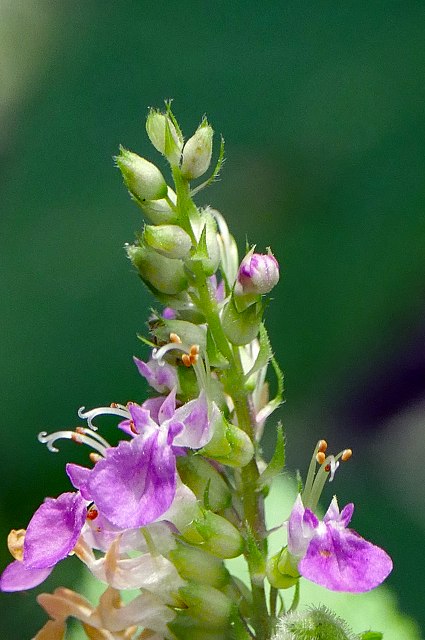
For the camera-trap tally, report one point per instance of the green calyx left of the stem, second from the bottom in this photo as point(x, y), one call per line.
point(198, 565)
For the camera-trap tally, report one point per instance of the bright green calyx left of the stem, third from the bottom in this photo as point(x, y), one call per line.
point(216, 535)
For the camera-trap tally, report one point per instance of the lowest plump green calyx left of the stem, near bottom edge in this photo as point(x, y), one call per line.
point(207, 605)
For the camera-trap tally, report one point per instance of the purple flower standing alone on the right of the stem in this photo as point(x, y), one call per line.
point(330, 554)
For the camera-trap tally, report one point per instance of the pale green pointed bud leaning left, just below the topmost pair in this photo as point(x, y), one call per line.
point(142, 178)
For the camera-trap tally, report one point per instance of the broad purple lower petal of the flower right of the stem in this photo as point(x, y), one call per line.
point(340, 560)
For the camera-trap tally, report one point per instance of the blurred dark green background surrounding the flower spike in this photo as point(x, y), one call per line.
point(322, 108)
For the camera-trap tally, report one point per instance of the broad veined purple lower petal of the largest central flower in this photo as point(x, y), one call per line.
point(135, 484)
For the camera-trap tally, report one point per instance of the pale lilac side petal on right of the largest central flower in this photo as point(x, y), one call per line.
point(197, 427)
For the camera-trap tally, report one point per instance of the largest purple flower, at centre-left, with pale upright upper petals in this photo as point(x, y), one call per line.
point(135, 483)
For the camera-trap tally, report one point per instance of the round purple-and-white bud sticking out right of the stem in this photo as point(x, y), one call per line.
point(258, 274)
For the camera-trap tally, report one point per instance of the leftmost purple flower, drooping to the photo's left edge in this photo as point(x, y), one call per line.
point(51, 535)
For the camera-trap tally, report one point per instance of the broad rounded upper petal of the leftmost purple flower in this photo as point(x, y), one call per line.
point(54, 530)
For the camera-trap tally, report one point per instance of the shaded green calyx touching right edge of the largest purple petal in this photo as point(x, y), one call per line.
point(205, 481)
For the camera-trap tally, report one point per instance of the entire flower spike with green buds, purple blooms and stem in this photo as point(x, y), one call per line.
point(183, 490)
